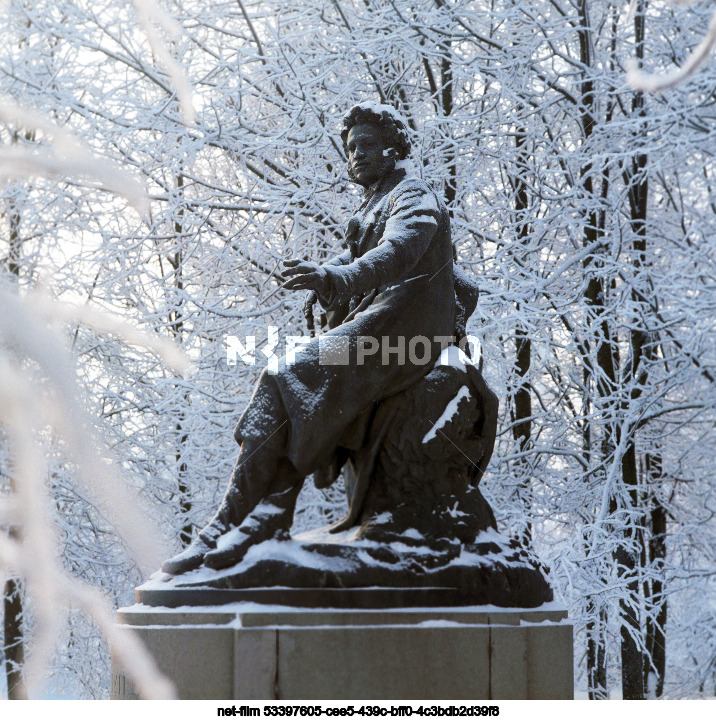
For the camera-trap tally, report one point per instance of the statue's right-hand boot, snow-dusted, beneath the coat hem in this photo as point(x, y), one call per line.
point(271, 518)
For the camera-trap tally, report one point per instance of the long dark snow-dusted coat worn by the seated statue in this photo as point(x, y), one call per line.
point(393, 289)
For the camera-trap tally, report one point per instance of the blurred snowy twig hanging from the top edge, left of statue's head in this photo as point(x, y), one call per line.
point(152, 17)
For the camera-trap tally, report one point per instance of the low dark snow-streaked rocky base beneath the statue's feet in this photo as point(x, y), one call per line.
point(490, 570)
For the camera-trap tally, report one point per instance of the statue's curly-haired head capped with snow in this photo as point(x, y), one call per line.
point(375, 138)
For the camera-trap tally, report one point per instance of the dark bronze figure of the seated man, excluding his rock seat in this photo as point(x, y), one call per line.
point(390, 301)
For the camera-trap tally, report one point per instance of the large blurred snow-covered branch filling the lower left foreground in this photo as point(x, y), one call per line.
point(31, 402)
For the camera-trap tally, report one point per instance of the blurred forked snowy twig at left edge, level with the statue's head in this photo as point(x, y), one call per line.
point(63, 156)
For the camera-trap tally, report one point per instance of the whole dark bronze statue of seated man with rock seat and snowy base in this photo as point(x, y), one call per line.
point(385, 396)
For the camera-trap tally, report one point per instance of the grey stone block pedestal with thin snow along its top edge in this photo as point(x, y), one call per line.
point(249, 651)
